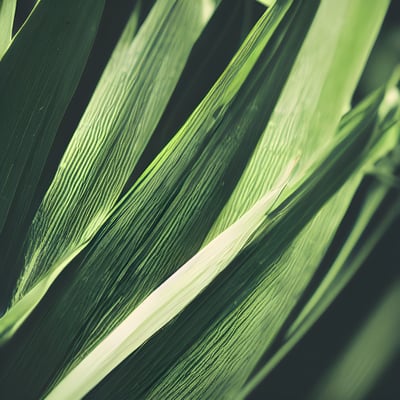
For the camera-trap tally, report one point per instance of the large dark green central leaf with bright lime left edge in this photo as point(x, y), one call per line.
point(163, 220)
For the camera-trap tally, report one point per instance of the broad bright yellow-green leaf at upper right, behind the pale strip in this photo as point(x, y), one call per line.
point(315, 97)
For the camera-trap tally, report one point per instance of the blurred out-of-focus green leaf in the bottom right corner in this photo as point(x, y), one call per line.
point(369, 354)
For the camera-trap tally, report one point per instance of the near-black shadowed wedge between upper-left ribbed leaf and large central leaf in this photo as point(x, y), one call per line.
point(211, 54)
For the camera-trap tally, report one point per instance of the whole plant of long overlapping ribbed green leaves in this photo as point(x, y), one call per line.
point(192, 232)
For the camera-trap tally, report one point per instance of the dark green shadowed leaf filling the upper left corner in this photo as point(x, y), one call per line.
point(15, 62)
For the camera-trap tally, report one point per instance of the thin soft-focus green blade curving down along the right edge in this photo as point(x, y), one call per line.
point(360, 240)
